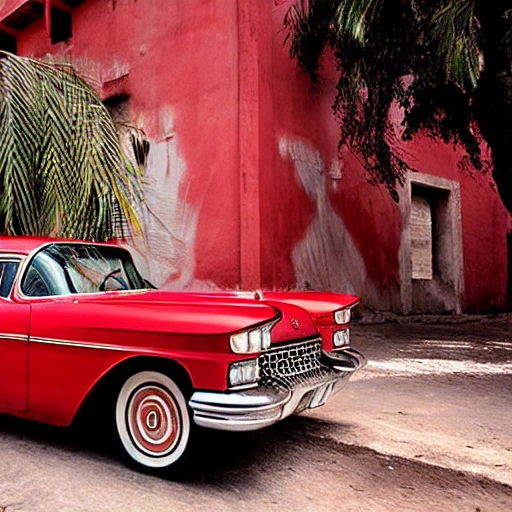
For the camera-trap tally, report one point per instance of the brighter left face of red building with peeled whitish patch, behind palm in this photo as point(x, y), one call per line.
point(178, 63)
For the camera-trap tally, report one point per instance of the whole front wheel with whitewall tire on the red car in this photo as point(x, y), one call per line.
point(152, 421)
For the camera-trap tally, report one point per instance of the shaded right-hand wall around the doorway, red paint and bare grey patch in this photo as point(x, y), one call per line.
point(336, 231)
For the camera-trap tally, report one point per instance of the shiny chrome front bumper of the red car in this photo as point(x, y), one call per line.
point(259, 407)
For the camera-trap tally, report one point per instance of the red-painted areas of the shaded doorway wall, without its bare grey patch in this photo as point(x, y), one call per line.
point(373, 221)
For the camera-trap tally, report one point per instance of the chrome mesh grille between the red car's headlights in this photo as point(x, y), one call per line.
point(292, 364)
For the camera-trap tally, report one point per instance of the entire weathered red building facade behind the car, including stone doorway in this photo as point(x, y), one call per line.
point(244, 183)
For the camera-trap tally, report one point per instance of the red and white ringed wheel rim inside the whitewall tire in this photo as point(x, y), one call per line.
point(153, 420)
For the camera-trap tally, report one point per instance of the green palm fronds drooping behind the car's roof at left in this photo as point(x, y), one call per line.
point(62, 169)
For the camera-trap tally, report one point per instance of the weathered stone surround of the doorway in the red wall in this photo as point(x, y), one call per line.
point(444, 292)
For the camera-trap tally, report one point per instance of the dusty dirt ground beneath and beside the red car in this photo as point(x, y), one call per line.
point(424, 427)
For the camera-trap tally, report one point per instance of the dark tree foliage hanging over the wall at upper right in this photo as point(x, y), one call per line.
point(448, 64)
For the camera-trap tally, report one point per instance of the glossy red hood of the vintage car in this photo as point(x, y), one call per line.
point(188, 313)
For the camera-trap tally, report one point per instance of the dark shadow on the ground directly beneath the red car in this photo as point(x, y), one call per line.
point(217, 456)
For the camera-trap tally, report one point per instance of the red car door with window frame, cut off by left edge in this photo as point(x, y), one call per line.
point(14, 318)
